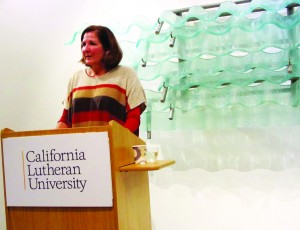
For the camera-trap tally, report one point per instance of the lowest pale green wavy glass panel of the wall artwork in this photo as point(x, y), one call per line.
point(267, 114)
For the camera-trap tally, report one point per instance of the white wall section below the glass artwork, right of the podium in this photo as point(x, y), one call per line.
point(249, 180)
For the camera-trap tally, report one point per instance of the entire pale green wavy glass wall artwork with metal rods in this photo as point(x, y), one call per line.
point(231, 65)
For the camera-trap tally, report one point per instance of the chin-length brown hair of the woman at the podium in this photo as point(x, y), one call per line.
point(110, 44)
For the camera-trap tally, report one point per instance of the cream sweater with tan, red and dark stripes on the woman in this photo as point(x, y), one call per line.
point(96, 100)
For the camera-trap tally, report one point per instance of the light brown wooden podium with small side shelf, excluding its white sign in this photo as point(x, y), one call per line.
point(130, 188)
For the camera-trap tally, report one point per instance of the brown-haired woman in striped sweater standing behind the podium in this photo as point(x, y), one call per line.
point(104, 90)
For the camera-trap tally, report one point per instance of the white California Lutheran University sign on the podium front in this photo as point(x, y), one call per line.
point(63, 170)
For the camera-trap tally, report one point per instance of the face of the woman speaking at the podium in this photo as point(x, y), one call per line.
point(92, 50)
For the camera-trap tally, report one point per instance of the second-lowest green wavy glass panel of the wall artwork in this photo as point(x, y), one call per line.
point(228, 96)
